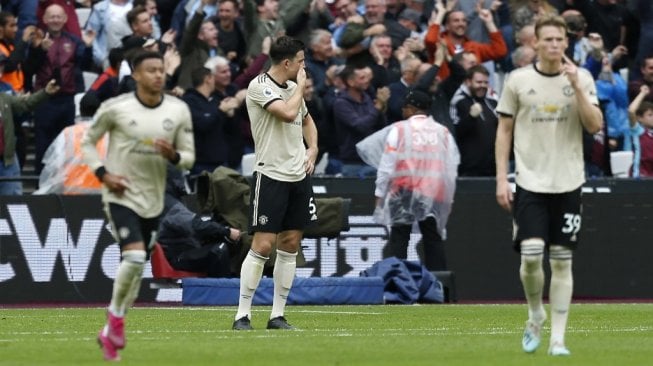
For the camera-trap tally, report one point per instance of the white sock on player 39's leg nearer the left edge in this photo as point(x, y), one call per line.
point(532, 277)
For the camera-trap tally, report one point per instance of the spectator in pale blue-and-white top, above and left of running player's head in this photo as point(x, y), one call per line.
point(109, 21)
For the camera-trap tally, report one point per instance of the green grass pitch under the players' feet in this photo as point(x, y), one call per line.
point(598, 334)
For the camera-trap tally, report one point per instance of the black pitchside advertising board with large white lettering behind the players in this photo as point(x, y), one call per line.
point(59, 249)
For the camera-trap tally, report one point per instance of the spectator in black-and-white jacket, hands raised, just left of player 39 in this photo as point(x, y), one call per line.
point(473, 112)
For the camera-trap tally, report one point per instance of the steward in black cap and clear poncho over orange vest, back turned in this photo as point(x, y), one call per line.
point(416, 181)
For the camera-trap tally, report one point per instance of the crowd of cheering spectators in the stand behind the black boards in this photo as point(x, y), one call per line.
point(362, 58)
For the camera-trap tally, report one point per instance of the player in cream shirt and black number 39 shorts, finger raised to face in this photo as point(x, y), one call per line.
point(544, 108)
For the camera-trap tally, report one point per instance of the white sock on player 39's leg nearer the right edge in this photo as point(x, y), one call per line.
point(562, 284)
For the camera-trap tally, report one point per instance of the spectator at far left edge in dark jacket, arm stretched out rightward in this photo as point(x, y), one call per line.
point(11, 105)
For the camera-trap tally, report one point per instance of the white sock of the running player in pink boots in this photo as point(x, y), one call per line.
point(129, 272)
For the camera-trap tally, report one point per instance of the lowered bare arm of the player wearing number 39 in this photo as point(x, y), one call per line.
point(502, 146)
